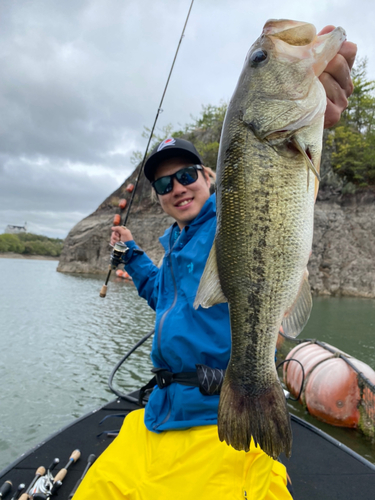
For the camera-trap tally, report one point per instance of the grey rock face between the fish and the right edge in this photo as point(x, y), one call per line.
point(343, 255)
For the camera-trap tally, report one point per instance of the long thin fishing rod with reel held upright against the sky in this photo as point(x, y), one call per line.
point(120, 248)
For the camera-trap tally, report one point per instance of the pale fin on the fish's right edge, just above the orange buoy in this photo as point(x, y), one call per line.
point(297, 315)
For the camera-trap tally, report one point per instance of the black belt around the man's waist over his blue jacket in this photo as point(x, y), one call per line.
point(209, 380)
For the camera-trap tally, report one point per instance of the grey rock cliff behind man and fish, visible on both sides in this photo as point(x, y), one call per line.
point(342, 260)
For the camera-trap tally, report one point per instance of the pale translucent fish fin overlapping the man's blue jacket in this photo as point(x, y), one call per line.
point(209, 291)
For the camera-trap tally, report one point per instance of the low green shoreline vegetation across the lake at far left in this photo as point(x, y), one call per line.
point(29, 245)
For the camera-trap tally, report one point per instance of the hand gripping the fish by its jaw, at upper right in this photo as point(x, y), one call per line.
point(336, 80)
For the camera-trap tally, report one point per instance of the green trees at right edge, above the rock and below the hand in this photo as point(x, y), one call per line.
point(353, 139)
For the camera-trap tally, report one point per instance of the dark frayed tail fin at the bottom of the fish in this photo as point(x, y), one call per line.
point(264, 417)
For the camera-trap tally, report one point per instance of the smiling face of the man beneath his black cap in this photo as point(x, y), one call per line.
point(183, 203)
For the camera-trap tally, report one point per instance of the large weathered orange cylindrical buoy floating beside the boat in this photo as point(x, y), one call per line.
point(330, 392)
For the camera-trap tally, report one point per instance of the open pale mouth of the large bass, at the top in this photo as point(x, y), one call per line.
point(298, 40)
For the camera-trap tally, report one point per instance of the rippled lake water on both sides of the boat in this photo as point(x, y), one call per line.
point(59, 343)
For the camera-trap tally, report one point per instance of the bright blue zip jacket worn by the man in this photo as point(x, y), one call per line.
point(184, 336)
